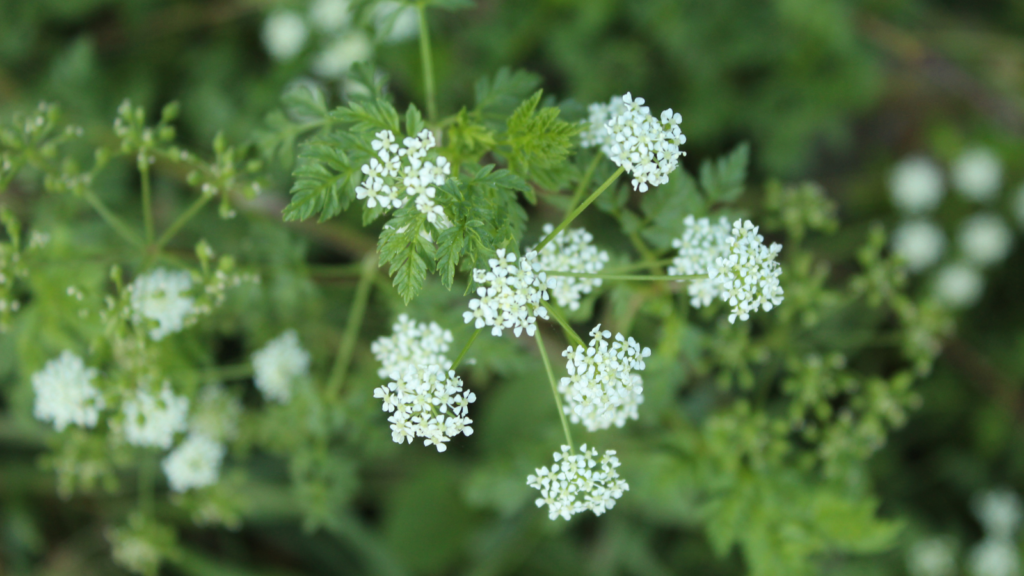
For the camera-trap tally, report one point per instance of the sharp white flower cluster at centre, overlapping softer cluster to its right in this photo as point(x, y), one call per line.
point(510, 296)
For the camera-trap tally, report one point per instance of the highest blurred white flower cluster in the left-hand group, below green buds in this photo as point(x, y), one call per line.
point(161, 298)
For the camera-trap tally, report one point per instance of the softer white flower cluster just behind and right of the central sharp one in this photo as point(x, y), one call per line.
point(571, 251)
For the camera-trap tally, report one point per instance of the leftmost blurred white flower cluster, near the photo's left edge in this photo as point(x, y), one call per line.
point(65, 394)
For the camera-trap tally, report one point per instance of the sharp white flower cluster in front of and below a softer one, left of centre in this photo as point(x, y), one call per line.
point(426, 402)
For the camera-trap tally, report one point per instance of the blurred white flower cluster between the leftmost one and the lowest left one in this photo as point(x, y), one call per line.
point(153, 421)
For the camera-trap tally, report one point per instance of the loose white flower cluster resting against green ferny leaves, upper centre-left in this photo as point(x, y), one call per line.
point(405, 170)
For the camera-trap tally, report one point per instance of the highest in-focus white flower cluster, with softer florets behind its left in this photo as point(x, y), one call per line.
point(647, 147)
